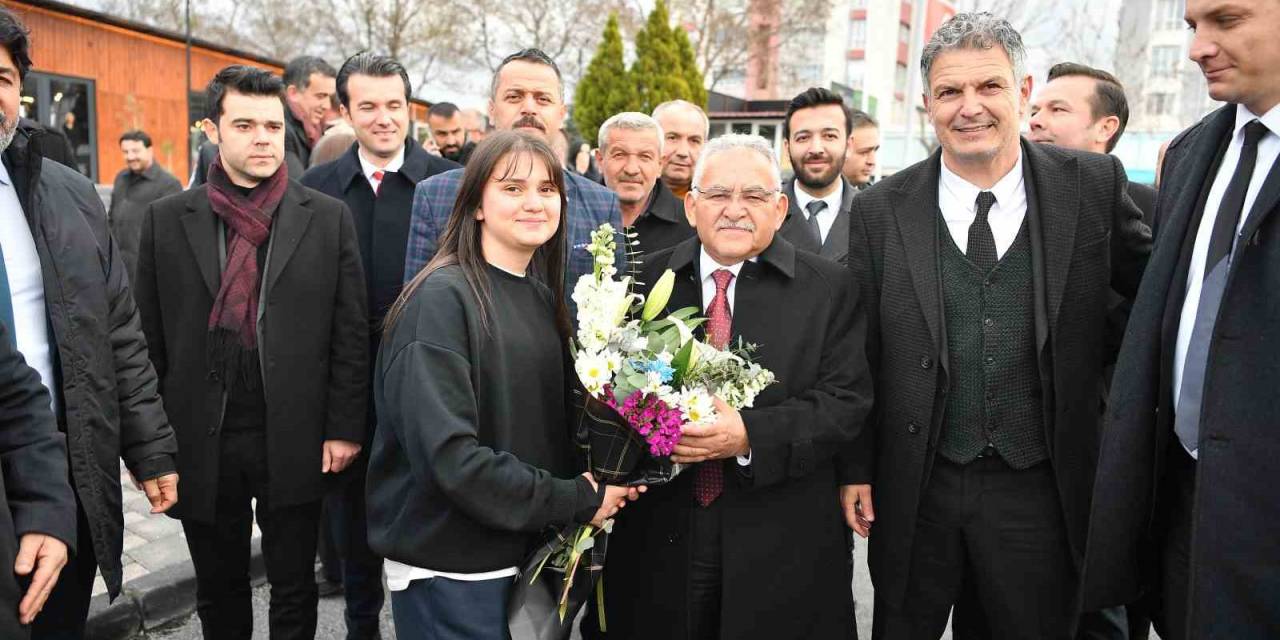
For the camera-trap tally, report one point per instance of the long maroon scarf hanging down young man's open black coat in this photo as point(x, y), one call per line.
point(234, 321)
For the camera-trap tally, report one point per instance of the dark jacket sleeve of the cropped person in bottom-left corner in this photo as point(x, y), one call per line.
point(35, 492)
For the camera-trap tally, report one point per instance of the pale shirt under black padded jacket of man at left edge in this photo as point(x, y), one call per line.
point(26, 285)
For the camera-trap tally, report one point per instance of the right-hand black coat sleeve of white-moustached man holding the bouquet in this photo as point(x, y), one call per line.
point(789, 438)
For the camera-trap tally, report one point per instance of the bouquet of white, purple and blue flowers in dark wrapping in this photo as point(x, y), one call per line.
point(643, 378)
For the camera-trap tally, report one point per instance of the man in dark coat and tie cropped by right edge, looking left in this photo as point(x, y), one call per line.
point(1186, 504)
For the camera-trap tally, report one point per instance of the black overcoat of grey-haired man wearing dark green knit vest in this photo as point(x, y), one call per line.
point(1087, 239)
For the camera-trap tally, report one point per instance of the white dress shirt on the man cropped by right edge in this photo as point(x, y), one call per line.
point(1269, 148)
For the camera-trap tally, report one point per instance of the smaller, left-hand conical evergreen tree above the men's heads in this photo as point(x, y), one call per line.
point(606, 89)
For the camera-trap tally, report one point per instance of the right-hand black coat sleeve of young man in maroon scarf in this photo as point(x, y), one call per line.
point(349, 346)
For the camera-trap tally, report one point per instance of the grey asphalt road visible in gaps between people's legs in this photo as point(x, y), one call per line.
point(332, 627)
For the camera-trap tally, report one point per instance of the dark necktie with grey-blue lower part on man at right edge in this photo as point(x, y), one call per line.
point(1218, 263)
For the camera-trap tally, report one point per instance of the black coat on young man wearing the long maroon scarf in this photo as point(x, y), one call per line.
point(313, 339)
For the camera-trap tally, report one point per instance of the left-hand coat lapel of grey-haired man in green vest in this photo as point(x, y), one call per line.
point(917, 217)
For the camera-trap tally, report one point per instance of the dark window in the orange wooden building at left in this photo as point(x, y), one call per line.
point(66, 106)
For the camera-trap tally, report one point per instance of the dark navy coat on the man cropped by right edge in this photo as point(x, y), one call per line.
point(1236, 551)
